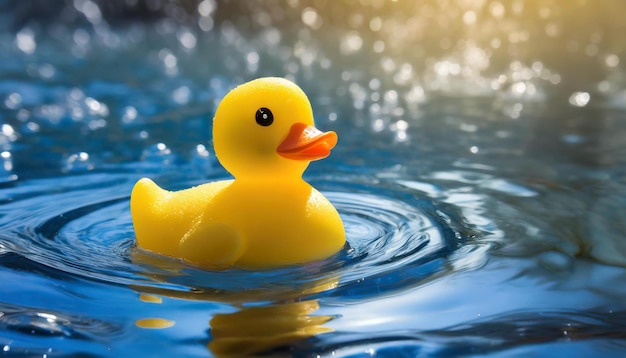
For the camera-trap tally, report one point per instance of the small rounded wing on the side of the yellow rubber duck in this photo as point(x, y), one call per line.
point(212, 245)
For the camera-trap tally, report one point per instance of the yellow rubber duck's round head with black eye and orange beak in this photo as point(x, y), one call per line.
point(264, 129)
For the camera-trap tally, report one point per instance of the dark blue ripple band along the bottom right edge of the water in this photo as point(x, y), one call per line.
point(497, 335)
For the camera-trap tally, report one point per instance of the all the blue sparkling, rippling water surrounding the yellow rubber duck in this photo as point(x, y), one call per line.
point(480, 175)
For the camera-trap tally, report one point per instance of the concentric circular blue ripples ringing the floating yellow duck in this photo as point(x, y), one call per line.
point(84, 229)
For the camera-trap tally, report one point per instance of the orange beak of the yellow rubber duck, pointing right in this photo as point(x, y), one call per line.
point(306, 142)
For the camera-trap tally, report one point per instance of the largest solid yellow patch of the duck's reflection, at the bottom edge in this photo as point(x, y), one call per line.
point(255, 330)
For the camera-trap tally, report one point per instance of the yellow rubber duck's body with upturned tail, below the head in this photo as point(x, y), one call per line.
point(211, 226)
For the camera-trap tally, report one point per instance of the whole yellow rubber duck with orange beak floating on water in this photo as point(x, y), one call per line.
point(267, 216)
